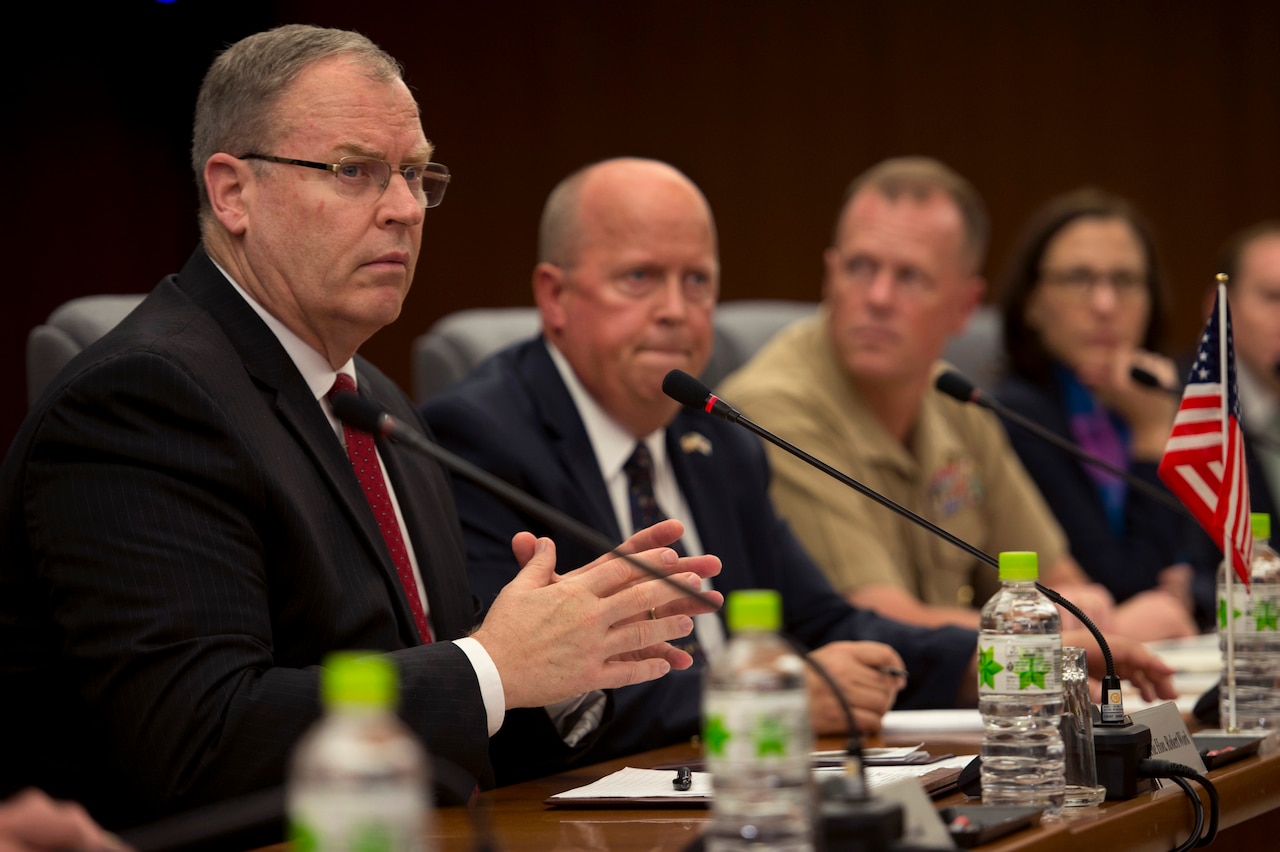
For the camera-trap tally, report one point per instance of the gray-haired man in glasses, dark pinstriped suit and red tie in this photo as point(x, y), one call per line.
point(186, 537)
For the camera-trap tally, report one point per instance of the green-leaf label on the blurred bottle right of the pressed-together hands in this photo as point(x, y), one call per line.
point(755, 729)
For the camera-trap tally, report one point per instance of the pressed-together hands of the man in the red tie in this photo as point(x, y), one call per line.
point(602, 626)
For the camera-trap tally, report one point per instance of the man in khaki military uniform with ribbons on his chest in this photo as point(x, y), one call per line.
point(854, 387)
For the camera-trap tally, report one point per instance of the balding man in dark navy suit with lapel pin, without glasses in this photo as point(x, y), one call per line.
point(627, 288)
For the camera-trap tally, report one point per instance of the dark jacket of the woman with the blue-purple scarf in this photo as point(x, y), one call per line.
point(1156, 535)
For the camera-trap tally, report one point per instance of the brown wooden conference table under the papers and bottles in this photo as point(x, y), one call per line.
point(516, 818)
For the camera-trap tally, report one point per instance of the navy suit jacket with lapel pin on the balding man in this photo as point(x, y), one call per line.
point(515, 418)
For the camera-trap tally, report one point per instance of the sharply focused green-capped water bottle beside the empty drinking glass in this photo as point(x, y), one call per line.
point(1021, 691)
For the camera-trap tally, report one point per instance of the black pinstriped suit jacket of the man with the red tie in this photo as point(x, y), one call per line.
point(185, 540)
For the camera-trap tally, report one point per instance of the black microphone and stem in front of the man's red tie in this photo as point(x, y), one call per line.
point(368, 416)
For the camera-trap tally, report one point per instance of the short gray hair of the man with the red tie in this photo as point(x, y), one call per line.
point(236, 108)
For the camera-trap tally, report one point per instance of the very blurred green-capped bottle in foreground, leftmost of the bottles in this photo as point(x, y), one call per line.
point(359, 777)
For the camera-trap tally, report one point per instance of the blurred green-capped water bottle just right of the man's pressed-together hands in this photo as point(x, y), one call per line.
point(757, 735)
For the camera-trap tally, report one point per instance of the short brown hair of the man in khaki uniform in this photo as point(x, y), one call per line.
point(920, 178)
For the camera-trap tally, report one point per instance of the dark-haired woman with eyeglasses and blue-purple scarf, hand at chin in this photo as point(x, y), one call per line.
point(1084, 304)
